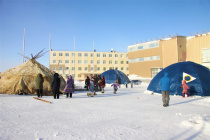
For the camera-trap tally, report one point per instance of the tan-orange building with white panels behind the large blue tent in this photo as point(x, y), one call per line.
point(147, 59)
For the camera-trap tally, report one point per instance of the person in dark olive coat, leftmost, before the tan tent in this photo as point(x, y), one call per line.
point(39, 85)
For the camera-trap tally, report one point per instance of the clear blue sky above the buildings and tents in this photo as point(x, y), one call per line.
point(109, 23)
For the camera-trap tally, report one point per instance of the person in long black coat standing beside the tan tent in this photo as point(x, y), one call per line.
point(55, 86)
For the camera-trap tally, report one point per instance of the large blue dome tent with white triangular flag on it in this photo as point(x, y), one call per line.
point(196, 76)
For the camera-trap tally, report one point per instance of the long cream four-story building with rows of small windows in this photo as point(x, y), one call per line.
point(81, 64)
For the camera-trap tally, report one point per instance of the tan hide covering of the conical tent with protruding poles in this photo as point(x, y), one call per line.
point(21, 79)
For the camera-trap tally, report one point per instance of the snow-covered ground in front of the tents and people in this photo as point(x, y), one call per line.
point(131, 114)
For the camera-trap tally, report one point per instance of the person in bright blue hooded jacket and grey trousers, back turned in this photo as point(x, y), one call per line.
point(165, 83)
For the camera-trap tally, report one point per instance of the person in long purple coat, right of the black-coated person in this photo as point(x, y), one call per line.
point(69, 89)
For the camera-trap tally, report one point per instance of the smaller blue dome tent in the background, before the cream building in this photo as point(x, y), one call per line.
point(113, 75)
